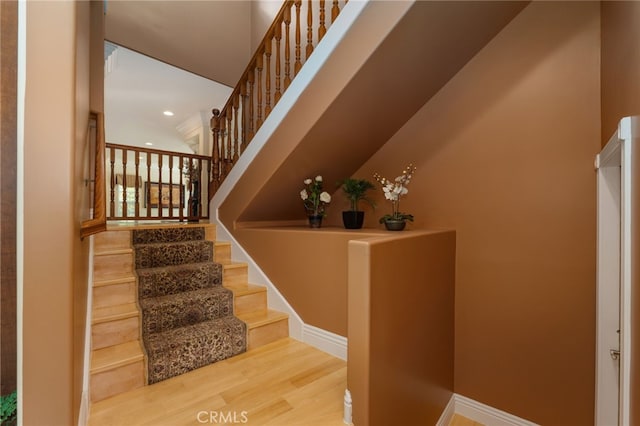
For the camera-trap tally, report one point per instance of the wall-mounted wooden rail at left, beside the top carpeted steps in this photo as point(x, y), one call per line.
point(96, 181)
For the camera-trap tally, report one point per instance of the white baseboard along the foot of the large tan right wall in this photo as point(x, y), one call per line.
point(479, 412)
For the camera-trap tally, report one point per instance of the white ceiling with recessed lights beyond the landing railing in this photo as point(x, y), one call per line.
point(138, 89)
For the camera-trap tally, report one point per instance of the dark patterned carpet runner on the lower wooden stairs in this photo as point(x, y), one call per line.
point(187, 316)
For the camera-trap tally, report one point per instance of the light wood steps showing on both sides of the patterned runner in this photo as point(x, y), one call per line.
point(118, 361)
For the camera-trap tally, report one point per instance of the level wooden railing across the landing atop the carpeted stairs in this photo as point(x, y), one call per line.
point(149, 184)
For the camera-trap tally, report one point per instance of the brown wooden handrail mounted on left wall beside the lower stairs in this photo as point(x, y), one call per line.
point(99, 221)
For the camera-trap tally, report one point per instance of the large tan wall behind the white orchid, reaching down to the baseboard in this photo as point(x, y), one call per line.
point(505, 157)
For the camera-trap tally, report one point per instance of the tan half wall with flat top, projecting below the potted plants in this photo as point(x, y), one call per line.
point(401, 327)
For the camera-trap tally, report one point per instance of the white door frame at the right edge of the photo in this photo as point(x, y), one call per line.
point(614, 264)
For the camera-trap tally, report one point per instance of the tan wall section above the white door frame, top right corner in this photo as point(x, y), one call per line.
point(620, 63)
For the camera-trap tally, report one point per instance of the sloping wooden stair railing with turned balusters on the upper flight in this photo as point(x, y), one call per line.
point(276, 62)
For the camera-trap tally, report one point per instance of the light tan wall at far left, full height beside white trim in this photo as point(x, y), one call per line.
point(55, 275)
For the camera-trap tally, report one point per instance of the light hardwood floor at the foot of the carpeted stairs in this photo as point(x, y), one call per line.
point(283, 383)
